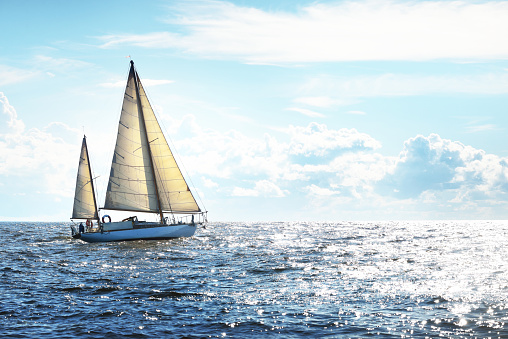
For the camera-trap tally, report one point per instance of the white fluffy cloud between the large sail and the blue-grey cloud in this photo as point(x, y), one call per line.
point(295, 154)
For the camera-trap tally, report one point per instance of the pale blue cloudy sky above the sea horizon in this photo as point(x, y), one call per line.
point(277, 110)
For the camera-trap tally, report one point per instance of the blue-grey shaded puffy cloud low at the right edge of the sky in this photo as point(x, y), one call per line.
point(446, 168)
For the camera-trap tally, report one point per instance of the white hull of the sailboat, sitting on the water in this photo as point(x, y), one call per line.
point(150, 233)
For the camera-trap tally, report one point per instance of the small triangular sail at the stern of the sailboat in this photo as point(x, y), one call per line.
point(85, 206)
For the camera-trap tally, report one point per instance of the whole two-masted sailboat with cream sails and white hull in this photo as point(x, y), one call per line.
point(144, 178)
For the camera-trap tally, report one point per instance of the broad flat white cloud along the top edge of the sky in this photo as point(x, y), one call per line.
point(334, 31)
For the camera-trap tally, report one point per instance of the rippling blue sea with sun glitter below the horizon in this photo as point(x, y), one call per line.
point(249, 280)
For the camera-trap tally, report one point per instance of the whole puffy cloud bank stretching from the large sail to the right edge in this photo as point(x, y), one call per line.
point(336, 170)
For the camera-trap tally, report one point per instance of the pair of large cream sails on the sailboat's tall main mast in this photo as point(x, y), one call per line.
point(144, 174)
